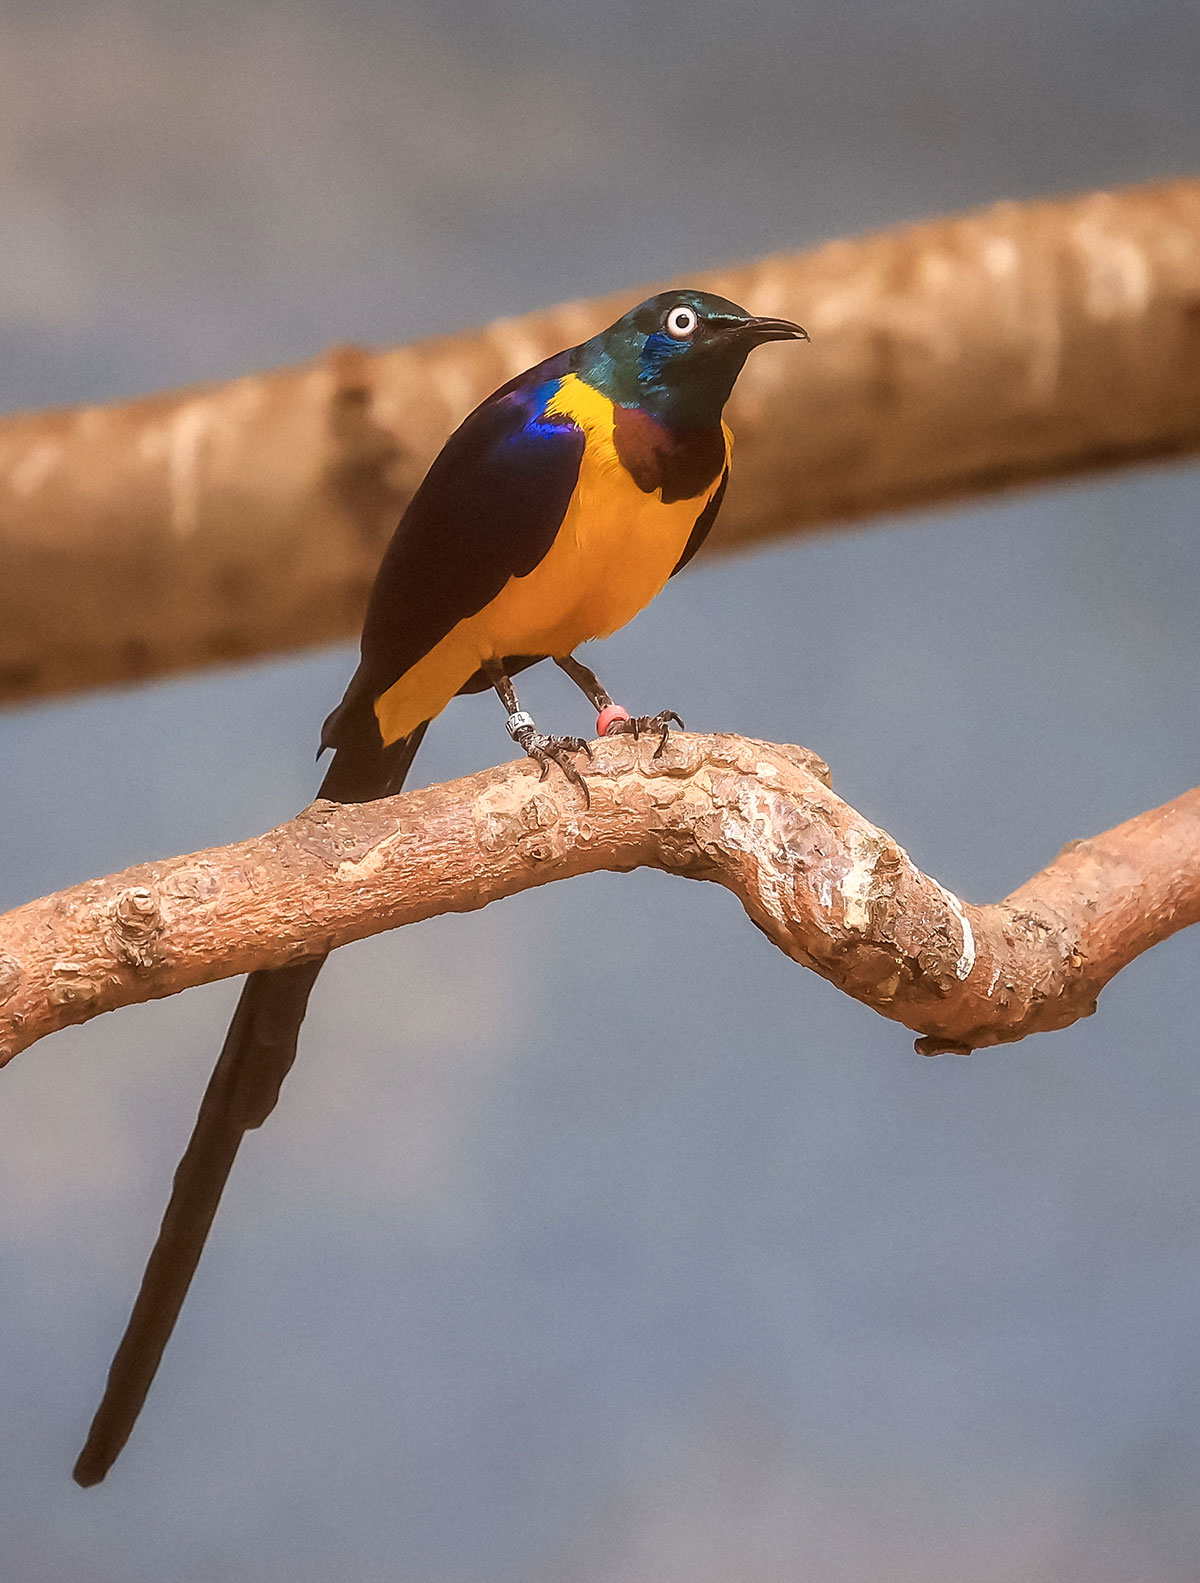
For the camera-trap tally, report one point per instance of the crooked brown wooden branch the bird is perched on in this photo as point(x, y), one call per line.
point(824, 884)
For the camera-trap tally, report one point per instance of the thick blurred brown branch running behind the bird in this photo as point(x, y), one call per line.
point(1014, 346)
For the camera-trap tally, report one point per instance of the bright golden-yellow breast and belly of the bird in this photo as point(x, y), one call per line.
point(615, 552)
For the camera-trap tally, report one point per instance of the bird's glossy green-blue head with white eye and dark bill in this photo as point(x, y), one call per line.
point(678, 355)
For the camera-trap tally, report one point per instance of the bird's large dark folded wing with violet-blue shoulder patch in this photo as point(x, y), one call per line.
point(487, 512)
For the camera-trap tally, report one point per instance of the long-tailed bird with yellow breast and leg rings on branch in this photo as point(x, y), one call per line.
point(556, 512)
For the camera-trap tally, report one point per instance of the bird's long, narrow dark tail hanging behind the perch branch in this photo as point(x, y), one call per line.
point(243, 1091)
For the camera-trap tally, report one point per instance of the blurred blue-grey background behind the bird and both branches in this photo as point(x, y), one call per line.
point(593, 1240)
